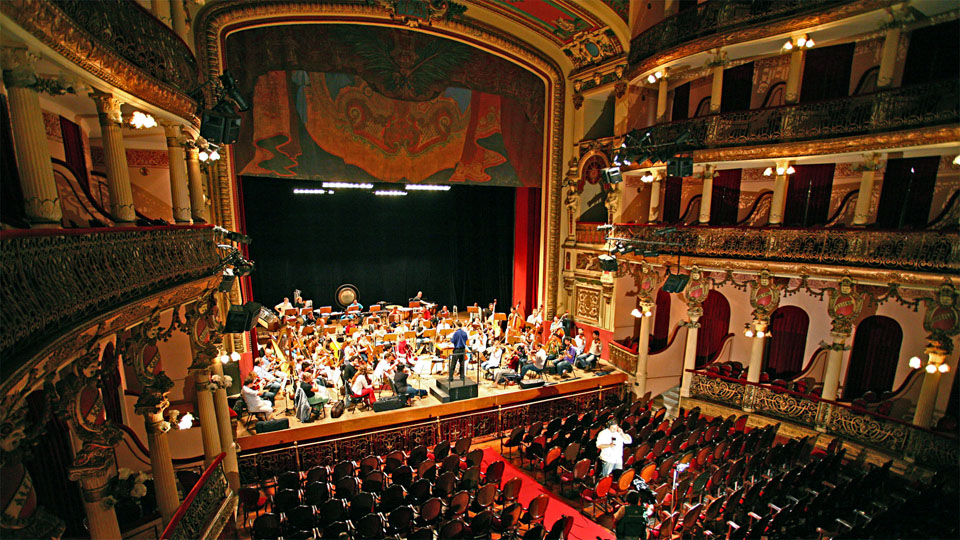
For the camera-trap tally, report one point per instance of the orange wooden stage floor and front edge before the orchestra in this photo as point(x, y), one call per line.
point(426, 408)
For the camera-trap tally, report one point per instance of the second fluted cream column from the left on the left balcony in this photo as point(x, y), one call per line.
point(115, 156)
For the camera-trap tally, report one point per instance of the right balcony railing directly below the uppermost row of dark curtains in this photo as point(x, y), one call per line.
point(888, 110)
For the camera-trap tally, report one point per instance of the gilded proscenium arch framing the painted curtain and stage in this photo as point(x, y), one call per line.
point(218, 20)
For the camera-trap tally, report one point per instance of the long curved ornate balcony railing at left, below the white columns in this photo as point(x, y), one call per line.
point(55, 279)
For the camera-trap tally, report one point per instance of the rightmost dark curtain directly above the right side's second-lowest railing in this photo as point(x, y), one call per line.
point(907, 192)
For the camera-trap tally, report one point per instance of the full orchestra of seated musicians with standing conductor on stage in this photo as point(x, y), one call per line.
point(356, 355)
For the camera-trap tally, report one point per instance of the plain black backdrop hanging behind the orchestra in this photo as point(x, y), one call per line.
point(455, 246)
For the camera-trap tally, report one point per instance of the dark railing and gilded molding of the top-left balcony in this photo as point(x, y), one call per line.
point(117, 42)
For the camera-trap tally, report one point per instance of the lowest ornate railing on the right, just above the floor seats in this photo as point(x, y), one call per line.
point(890, 435)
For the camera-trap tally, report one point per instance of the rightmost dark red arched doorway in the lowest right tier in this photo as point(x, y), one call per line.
point(873, 360)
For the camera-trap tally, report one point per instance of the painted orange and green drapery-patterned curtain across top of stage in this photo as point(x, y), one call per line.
point(366, 104)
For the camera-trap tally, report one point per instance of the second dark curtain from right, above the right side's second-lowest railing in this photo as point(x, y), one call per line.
point(808, 195)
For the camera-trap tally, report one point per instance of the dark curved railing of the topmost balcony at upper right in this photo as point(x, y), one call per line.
point(714, 17)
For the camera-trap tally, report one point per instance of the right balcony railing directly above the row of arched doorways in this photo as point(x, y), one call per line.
point(926, 251)
